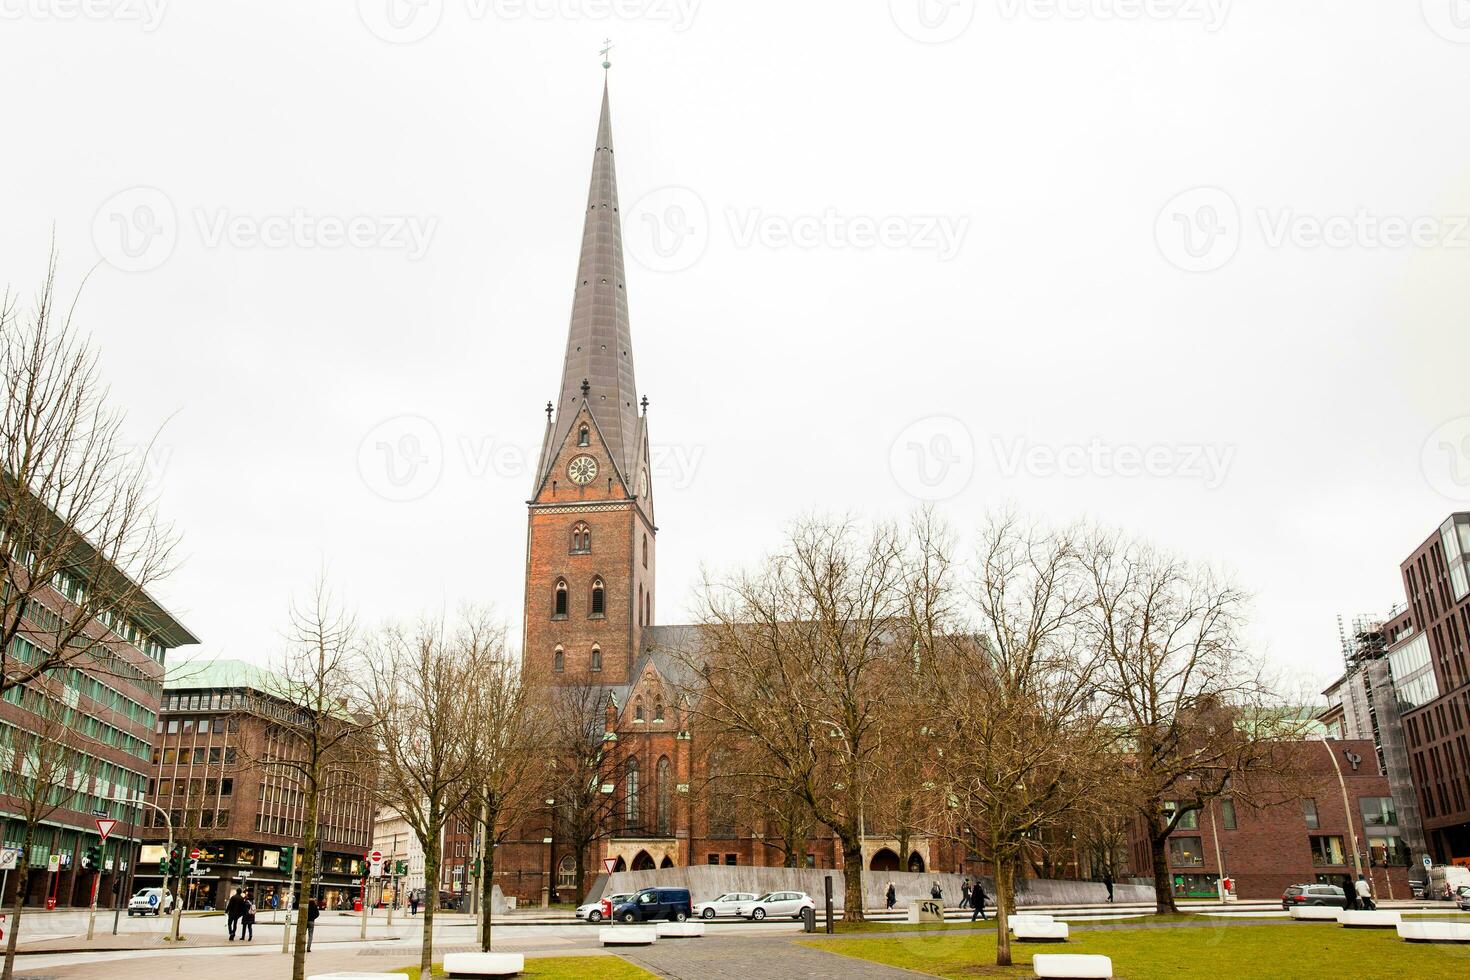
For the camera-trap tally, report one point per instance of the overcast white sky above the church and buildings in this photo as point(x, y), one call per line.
point(990, 251)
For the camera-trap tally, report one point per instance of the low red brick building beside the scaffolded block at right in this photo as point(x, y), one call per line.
point(1343, 824)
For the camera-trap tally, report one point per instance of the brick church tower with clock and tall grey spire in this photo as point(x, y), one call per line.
point(590, 537)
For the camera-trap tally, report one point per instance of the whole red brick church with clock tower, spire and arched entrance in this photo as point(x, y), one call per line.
point(592, 603)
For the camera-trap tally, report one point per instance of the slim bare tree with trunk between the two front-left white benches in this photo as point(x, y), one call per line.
point(418, 684)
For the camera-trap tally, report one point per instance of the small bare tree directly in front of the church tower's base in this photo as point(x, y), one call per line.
point(589, 772)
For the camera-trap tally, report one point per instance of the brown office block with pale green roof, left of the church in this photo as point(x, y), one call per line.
point(217, 774)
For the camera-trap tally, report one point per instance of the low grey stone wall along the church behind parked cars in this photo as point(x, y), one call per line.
point(711, 881)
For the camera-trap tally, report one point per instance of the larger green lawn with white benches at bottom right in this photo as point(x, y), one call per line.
point(1237, 951)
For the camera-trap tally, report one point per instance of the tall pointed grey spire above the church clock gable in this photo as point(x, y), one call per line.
point(599, 345)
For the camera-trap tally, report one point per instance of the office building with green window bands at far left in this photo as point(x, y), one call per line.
point(101, 710)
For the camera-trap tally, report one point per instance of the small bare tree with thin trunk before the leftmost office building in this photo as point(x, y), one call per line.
point(45, 768)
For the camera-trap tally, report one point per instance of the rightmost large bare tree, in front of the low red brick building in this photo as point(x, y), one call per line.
point(1197, 710)
